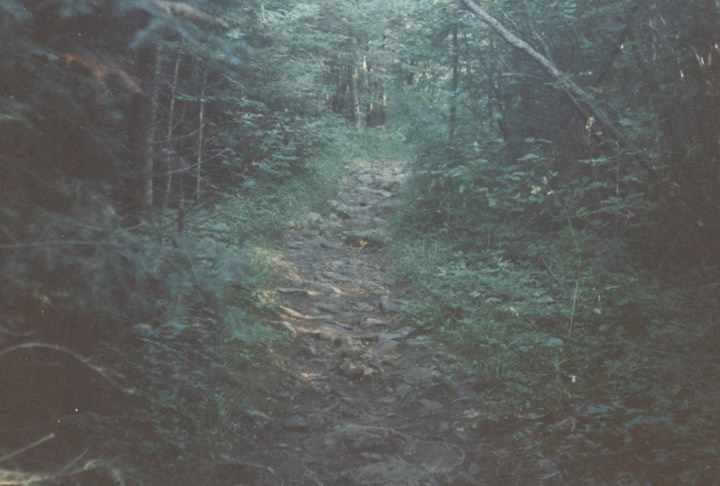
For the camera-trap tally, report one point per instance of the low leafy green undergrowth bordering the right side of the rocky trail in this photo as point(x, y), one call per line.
point(610, 363)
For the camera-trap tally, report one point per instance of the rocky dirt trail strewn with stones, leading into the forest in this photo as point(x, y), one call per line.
point(366, 405)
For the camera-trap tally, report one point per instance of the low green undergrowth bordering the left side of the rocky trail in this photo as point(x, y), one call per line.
point(137, 356)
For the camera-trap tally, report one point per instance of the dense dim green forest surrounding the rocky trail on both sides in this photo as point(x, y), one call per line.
point(559, 225)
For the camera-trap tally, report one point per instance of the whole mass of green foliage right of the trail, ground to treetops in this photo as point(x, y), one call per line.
point(535, 242)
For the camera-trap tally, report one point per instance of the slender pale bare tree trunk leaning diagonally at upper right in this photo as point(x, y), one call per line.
point(580, 98)
